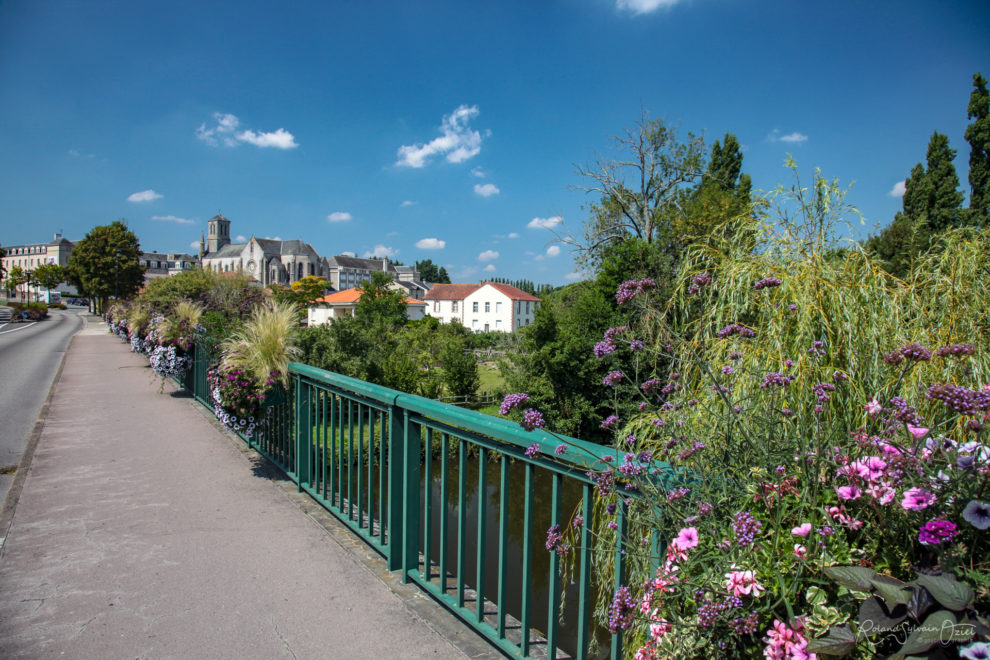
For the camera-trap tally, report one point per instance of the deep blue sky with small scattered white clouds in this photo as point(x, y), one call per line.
point(449, 130)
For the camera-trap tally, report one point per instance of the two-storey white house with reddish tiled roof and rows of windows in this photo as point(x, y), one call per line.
point(484, 307)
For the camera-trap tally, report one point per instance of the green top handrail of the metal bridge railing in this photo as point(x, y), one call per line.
point(588, 457)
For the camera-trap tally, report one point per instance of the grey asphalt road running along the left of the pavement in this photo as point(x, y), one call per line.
point(29, 358)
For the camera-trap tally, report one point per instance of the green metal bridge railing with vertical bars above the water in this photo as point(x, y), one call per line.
point(450, 499)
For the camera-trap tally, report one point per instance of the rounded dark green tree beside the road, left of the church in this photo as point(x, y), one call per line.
point(106, 262)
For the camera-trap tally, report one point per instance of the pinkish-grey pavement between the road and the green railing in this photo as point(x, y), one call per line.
point(144, 531)
